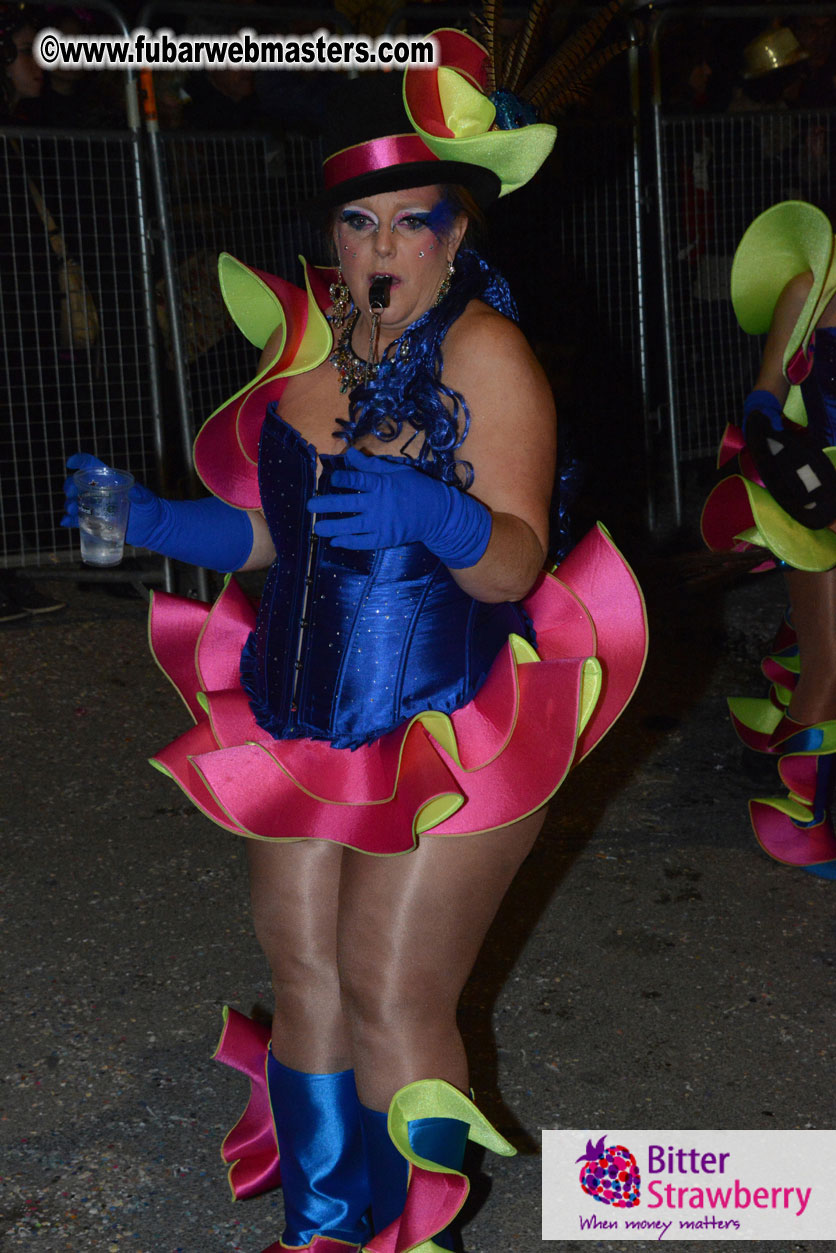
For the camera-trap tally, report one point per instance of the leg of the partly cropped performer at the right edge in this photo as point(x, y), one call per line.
point(814, 616)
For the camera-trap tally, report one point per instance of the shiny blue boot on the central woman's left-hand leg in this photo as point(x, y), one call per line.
point(325, 1180)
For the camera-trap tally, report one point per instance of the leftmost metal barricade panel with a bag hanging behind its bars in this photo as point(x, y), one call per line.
point(76, 360)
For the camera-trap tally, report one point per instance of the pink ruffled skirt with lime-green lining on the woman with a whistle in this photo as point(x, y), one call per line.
point(489, 764)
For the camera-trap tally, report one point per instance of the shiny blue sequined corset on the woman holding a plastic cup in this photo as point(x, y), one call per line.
point(350, 645)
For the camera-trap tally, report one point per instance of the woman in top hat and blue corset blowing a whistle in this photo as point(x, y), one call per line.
point(392, 722)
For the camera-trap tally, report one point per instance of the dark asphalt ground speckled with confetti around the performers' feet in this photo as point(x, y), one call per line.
point(651, 968)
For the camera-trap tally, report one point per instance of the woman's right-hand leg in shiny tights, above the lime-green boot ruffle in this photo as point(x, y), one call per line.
point(410, 932)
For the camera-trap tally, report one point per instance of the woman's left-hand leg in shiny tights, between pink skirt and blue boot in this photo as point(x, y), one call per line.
point(295, 890)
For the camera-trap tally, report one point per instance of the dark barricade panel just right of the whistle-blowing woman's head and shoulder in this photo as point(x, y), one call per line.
point(571, 250)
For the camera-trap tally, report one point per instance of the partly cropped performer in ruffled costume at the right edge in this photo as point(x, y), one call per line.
point(783, 498)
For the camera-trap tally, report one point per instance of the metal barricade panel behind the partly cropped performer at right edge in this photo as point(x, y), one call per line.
point(745, 162)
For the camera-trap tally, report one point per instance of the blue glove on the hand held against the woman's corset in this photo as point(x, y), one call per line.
point(390, 504)
